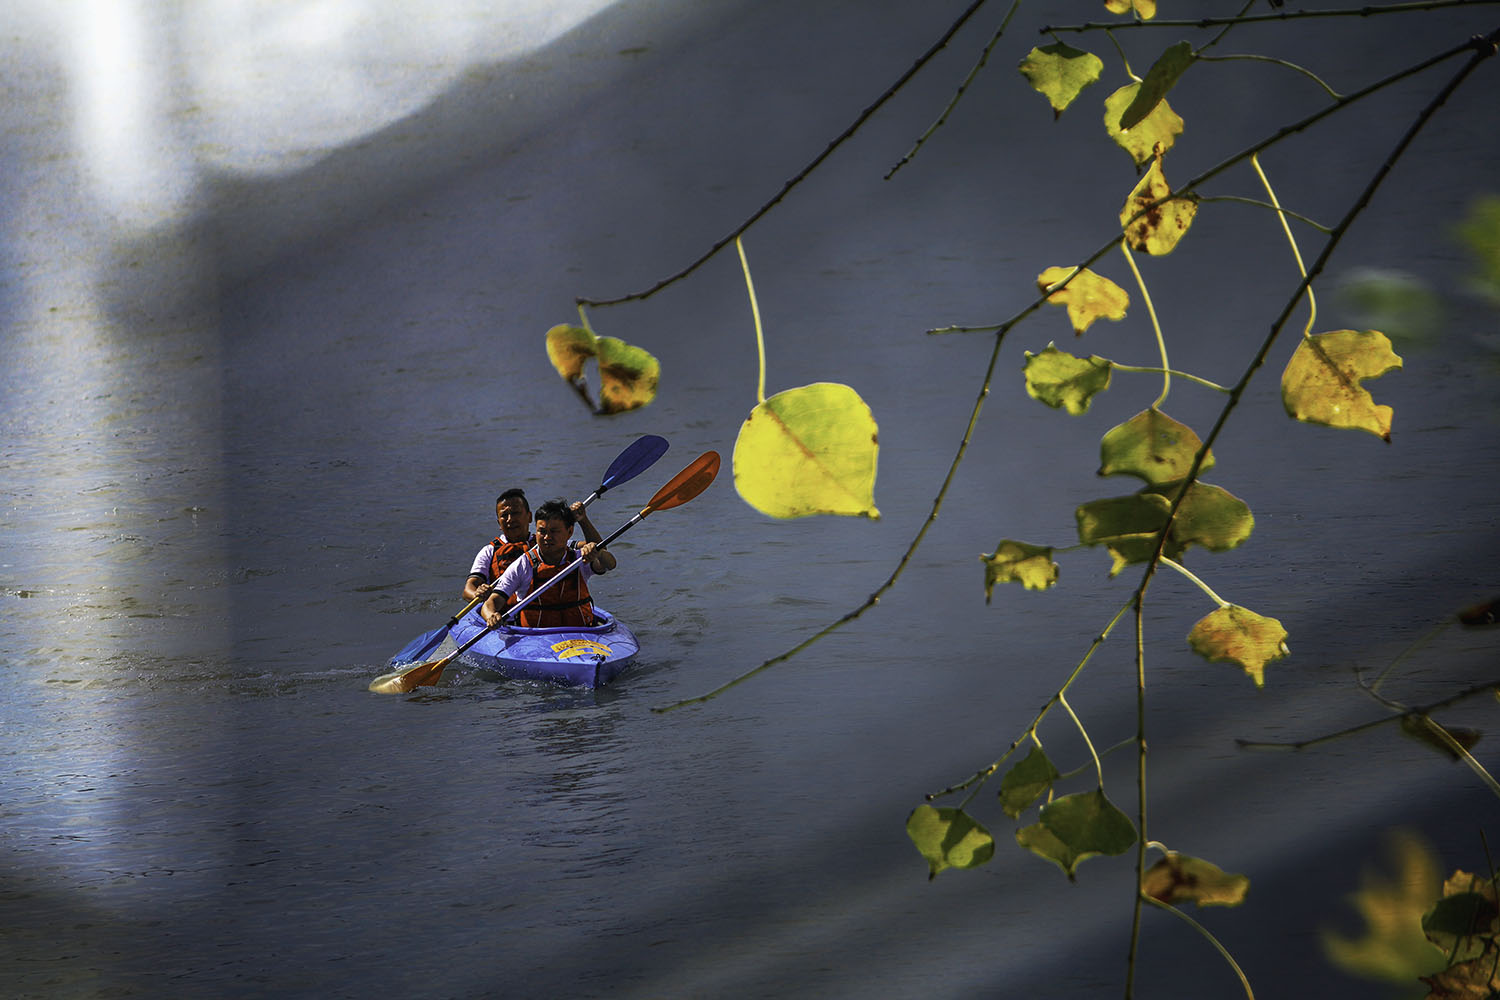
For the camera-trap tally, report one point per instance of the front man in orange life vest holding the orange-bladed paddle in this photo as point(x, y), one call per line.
point(568, 603)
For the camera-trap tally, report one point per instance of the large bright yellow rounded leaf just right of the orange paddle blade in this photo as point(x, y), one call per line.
point(809, 451)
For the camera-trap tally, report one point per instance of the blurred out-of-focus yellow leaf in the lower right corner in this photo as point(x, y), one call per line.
point(1393, 947)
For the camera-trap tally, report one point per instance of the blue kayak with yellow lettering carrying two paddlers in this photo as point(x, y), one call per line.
point(575, 656)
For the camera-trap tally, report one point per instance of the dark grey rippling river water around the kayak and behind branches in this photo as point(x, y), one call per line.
point(260, 394)
